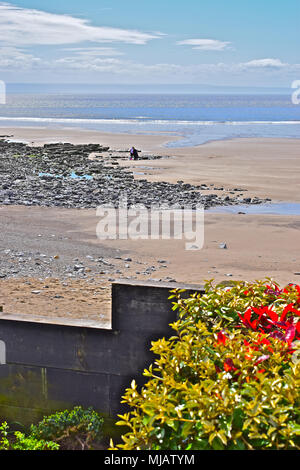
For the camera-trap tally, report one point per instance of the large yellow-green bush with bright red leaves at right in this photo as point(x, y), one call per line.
point(228, 379)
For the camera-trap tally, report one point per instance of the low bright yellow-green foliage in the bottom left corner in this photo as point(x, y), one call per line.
point(18, 441)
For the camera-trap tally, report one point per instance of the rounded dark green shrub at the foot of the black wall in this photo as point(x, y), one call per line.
point(75, 429)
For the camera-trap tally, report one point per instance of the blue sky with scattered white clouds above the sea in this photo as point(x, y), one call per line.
point(250, 43)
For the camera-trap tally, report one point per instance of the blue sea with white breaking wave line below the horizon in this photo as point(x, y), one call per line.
point(194, 118)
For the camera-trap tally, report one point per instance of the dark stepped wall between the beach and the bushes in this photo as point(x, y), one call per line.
point(51, 366)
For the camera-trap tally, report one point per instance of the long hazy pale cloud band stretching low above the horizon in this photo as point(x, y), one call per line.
point(105, 63)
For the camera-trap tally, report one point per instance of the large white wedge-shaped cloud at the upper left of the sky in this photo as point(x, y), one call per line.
point(22, 26)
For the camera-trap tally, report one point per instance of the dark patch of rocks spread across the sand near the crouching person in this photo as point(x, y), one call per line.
point(46, 180)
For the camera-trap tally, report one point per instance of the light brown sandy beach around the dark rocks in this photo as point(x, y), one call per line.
point(258, 246)
